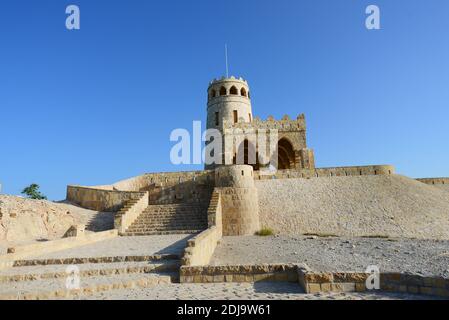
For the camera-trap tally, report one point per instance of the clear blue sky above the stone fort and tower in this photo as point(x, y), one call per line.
point(97, 105)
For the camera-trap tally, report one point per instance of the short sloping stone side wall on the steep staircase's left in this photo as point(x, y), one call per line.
point(130, 212)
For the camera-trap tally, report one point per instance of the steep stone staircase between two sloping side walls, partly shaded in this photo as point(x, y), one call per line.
point(182, 218)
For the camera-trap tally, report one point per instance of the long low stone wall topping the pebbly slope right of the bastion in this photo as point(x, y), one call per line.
point(328, 172)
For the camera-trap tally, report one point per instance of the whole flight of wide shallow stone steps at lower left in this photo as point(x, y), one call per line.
point(51, 278)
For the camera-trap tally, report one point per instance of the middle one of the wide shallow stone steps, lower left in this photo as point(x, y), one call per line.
point(32, 273)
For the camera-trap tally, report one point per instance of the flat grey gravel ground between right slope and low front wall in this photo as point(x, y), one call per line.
point(425, 257)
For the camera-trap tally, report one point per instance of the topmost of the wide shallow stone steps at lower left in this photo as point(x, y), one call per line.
point(93, 260)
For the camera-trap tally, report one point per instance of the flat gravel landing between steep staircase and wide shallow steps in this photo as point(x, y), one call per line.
point(126, 246)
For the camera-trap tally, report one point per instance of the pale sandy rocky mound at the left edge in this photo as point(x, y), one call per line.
point(24, 220)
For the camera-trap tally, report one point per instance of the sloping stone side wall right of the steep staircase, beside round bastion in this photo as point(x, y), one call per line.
point(200, 249)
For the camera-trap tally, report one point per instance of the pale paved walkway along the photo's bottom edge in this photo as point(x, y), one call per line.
point(241, 291)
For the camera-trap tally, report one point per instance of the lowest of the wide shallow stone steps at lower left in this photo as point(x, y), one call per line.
point(57, 288)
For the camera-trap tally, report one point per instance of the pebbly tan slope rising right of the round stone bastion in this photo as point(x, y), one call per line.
point(394, 206)
